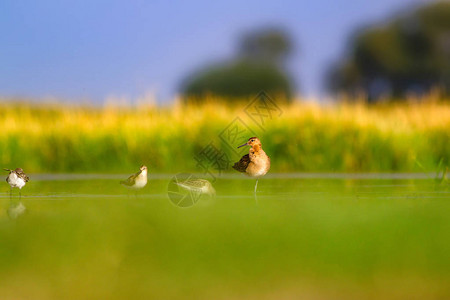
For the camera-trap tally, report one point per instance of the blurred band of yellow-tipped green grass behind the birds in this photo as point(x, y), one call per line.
point(409, 137)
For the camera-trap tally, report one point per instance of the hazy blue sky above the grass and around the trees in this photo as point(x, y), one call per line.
point(91, 50)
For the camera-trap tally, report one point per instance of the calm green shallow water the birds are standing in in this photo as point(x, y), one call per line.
point(369, 233)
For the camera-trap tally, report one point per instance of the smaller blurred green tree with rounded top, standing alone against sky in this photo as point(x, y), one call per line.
point(258, 66)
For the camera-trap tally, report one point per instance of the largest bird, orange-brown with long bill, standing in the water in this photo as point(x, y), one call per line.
point(256, 163)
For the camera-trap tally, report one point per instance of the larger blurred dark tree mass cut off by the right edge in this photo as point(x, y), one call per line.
point(408, 55)
